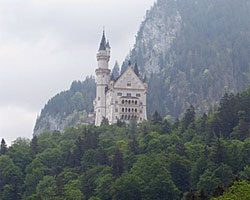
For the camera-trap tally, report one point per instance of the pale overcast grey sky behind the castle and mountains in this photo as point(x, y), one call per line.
point(46, 44)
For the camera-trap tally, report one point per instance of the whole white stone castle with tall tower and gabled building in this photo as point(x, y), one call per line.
point(121, 99)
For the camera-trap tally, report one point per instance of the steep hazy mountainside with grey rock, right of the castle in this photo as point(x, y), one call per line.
point(193, 52)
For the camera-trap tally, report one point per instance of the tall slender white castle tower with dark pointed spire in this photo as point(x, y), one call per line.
point(102, 80)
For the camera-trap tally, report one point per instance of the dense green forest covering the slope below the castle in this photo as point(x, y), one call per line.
point(195, 157)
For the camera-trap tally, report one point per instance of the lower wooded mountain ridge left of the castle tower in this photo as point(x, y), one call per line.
point(68, 108)
